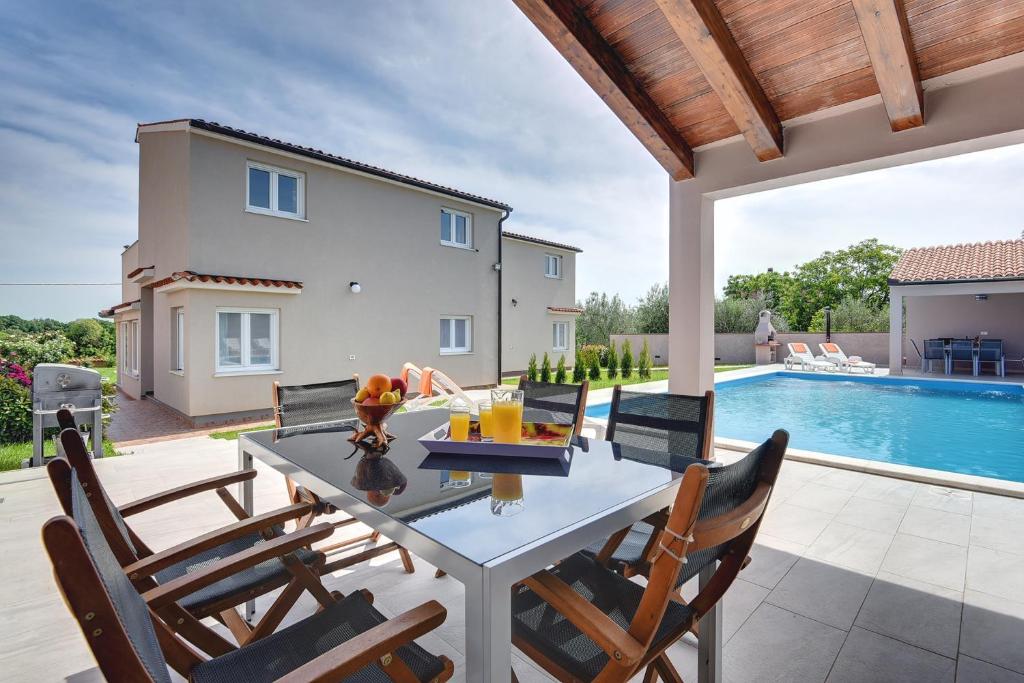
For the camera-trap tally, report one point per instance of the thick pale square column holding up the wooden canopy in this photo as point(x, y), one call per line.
point(692, 290)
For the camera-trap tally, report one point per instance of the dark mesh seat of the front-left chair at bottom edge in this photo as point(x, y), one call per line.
point(271, 658)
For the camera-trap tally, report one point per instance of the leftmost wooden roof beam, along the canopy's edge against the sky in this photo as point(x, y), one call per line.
point(584, 48)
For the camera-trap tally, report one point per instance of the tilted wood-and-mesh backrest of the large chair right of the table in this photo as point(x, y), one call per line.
point(714, 519)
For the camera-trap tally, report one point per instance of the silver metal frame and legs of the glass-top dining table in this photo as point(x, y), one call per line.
point(489, 587)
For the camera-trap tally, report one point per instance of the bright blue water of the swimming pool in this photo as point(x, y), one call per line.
point(954, 426)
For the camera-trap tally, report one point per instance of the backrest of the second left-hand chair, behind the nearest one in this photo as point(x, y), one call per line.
point(125, 545)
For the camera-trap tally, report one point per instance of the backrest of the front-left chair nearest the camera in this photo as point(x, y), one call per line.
point(114, 618)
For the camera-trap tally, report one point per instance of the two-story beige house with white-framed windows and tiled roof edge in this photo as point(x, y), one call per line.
point(261, 261)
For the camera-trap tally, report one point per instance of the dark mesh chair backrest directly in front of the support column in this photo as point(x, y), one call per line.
point(666, 422)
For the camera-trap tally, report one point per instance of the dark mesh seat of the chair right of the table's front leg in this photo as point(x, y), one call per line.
point(536, 622)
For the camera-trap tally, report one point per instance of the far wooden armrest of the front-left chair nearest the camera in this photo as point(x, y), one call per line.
point(175, 590)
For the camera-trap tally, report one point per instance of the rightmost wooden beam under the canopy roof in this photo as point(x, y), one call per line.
point(883, 24)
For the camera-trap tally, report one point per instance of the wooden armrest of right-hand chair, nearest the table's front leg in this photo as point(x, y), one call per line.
point(606, 633)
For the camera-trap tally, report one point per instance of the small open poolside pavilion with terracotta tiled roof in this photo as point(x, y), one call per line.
point(967, 291)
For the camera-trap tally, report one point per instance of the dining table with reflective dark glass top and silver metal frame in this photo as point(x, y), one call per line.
point(426, 503)
